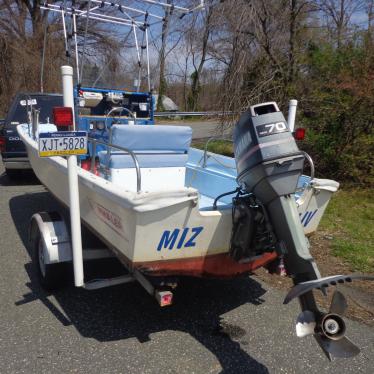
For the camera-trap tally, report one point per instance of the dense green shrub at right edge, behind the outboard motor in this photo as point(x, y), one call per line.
point(337, 107)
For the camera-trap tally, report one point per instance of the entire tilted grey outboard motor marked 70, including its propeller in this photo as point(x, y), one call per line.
point(265, 218)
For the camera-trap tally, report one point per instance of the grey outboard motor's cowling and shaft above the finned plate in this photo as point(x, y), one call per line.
point(269, 165)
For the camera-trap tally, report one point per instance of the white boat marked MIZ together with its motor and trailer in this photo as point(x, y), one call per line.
point(166, 209)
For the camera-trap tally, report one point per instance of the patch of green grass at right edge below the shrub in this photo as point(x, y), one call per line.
point(349, 218)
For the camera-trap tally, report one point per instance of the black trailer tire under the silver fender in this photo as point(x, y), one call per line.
point(51, 276)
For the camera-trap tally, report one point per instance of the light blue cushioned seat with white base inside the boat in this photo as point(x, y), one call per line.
point(161, 151)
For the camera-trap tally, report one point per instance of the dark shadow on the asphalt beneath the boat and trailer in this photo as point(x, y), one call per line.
point(127, 311)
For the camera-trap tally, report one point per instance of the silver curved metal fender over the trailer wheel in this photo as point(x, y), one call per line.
point(55, 235)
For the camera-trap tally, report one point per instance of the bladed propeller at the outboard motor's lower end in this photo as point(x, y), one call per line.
point(328, 329)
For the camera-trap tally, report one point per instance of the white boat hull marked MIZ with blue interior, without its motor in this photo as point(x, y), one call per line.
point(170, 226)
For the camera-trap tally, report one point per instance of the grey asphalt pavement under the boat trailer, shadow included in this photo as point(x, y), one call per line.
point(214, 326)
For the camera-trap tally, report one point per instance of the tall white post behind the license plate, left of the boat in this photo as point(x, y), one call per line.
point(76, 235)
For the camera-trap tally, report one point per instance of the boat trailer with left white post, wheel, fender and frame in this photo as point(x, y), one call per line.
point(55, 246)
